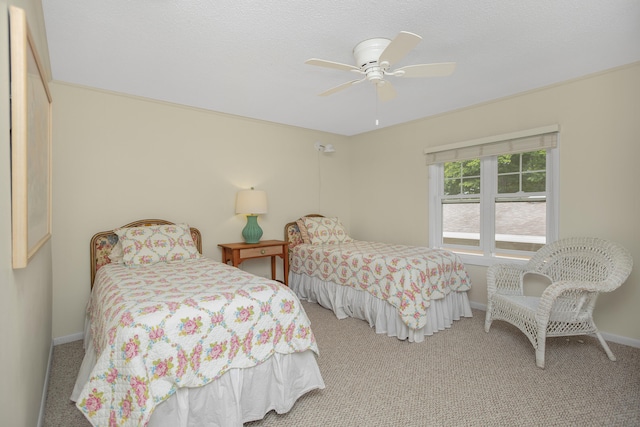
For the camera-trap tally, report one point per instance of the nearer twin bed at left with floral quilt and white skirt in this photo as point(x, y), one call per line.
point(176, 339)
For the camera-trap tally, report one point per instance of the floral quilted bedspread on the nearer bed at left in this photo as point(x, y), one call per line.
point(157, 328)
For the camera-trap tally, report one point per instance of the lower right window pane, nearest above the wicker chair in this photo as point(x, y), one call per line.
point(520, 225)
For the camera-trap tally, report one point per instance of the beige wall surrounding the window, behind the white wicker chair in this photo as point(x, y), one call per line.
point(599, 172)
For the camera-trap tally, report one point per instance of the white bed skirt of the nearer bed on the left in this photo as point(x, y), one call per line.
point(239, 396)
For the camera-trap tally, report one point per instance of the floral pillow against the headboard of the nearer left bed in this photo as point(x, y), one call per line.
point(156, 243)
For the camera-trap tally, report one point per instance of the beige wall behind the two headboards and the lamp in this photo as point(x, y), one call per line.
point(118, 159)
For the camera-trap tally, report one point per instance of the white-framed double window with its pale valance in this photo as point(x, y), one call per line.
point(494, 198)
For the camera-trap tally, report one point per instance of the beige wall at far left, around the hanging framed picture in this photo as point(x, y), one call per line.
point(25, 294)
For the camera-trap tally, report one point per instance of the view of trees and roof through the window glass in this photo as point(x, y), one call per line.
point(519, 202)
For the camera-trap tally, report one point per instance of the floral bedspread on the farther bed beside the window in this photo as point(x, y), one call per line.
point(407, 277)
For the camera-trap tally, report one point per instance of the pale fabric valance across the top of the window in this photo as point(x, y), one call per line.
point(542, 138)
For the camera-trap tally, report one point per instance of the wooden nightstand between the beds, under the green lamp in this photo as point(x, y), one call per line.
point(236, 253)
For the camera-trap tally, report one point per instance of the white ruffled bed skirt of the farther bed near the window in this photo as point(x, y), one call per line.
point(345, 301)
